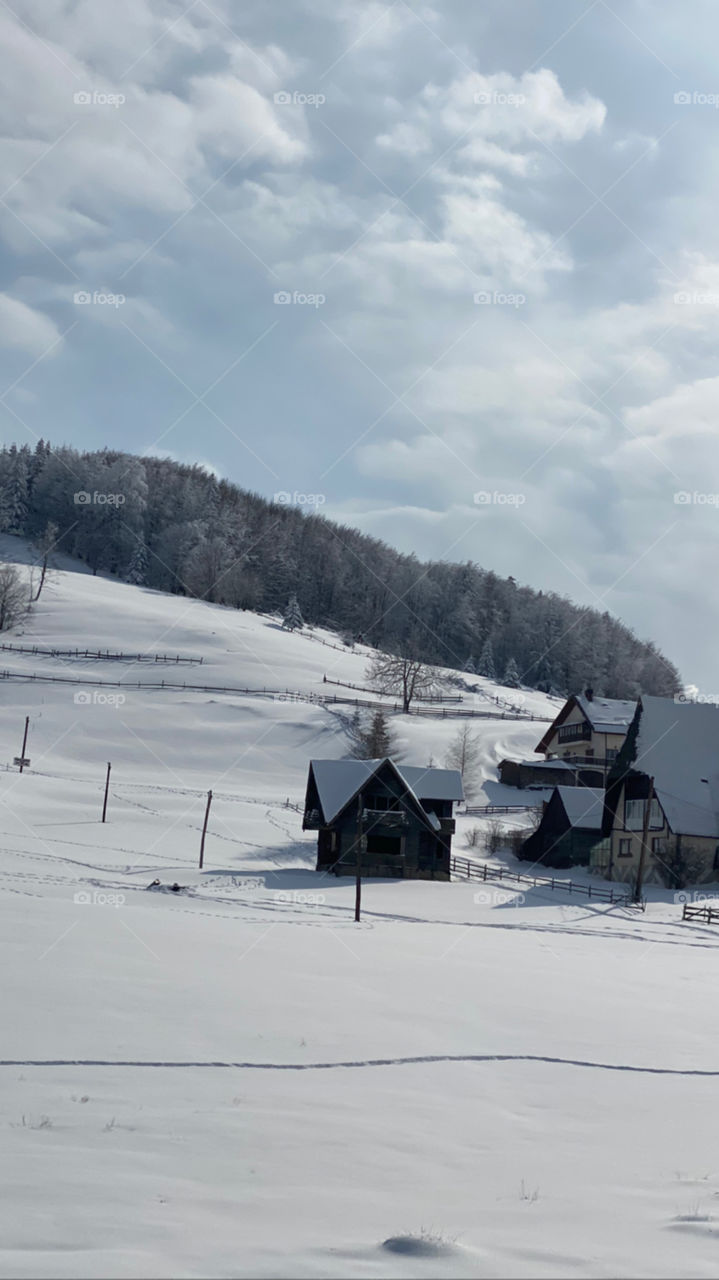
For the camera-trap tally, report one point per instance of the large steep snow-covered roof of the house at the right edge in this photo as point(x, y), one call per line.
point(679, 747)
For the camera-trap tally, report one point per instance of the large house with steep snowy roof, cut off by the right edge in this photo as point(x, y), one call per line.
point(672, 752)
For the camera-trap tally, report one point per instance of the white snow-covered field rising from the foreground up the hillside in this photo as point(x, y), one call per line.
point(239, 1081)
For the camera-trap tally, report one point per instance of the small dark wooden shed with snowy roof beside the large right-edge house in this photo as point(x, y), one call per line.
point(570, 829)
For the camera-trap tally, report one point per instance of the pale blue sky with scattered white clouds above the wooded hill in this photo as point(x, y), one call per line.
point(446, 273)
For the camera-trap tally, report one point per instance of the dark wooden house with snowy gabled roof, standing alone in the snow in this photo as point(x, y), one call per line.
point(399, 816)
